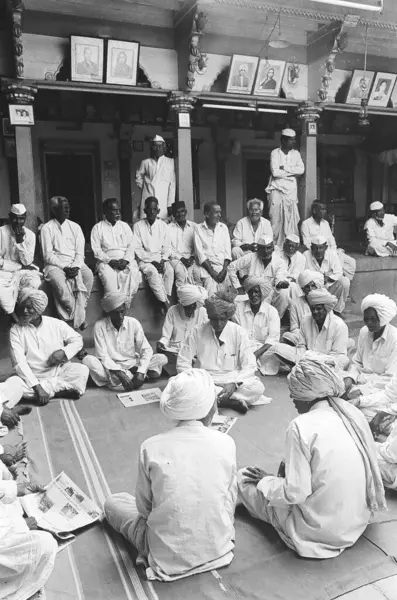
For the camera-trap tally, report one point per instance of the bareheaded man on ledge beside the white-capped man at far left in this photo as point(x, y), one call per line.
point(62, 242)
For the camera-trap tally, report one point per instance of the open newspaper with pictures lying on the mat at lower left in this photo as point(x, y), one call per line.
point(62, 508)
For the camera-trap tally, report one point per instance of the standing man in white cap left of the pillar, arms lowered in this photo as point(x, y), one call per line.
point(156, 177)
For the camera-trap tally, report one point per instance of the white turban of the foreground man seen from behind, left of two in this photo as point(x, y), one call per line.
point(188, 396)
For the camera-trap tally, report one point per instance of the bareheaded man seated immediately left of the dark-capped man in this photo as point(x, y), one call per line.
point(182, 257)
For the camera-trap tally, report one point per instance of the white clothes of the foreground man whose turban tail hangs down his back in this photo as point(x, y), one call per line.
point(308, 507)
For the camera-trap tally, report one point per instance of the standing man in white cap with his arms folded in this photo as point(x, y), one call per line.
point(286, 165)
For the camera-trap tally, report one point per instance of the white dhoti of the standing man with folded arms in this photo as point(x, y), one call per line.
point(283, 215)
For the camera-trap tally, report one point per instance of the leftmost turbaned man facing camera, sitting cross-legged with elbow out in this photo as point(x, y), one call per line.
point(41, 351)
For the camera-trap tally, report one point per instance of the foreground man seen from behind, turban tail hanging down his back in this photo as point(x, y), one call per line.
point(330, 457)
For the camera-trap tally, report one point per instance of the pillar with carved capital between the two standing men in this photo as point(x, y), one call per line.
point(183, 104)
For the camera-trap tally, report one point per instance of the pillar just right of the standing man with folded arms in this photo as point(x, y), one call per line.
point(309, 113)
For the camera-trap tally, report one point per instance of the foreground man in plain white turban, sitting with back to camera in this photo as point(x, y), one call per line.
point(181, 519)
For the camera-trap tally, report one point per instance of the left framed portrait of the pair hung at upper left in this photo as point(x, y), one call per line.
point(86, 58)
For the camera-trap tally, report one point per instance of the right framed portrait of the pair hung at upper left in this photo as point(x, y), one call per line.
point(122, 62)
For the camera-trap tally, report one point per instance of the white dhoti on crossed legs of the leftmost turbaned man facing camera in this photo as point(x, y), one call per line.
point(70, 376)
